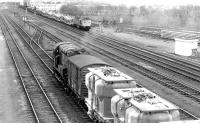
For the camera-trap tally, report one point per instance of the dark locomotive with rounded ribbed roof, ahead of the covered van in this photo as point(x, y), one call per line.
point(62, 51)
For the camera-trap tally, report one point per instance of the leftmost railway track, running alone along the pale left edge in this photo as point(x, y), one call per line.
point(42, 108)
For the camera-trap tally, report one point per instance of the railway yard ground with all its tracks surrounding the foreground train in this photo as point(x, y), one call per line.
point(31, 93)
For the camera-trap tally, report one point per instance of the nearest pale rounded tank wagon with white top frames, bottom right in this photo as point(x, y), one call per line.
point(139, 105)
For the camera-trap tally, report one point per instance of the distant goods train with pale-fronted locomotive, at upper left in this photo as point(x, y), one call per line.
point(83, 23)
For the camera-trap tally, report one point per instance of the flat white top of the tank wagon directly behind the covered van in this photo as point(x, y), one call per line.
point(110, 74)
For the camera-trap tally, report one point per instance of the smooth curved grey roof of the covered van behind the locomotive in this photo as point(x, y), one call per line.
point(86, 60)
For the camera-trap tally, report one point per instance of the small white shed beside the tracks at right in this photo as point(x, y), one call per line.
point(185, 47)
